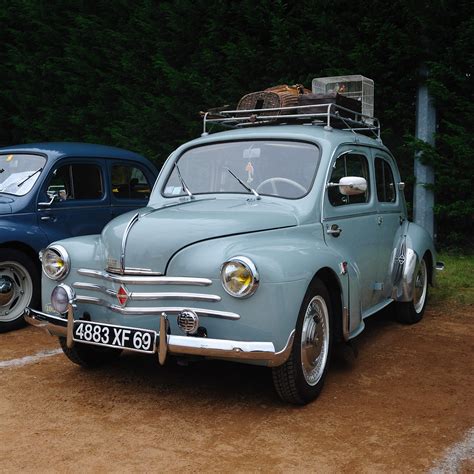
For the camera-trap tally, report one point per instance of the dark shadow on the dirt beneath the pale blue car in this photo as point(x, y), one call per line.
point(213, 379)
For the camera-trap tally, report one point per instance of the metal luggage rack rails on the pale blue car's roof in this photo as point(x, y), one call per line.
point(329, 118)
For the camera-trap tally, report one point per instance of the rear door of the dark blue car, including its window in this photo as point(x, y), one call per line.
point(131, 185)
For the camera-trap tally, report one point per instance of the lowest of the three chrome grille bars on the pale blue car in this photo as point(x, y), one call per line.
point(137, 311)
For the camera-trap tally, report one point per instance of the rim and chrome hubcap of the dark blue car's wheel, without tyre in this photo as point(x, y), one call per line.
point(16, 290)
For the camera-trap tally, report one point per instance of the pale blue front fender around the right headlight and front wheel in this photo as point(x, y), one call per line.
point(287, 261)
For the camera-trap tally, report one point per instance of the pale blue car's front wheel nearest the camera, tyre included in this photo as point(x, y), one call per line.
point(300, 379)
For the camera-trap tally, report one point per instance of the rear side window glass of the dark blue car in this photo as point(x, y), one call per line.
point(129, 182)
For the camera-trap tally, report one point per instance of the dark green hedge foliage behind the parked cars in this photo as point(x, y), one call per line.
point(136, 74)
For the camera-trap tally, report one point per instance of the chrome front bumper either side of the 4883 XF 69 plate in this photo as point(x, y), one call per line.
point(251, 351)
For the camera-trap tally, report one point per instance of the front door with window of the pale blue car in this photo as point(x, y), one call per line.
point(350, 224)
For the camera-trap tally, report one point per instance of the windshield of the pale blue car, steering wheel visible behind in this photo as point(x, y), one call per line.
point(274, 168)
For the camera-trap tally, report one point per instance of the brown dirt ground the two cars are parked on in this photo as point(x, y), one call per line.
point(403, 405)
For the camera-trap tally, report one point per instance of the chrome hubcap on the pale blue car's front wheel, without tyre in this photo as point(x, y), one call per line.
point(315, 340)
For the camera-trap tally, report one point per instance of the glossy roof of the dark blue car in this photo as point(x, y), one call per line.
point(59, 149)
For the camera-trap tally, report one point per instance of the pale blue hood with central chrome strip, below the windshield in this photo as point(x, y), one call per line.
point(151, 240)
